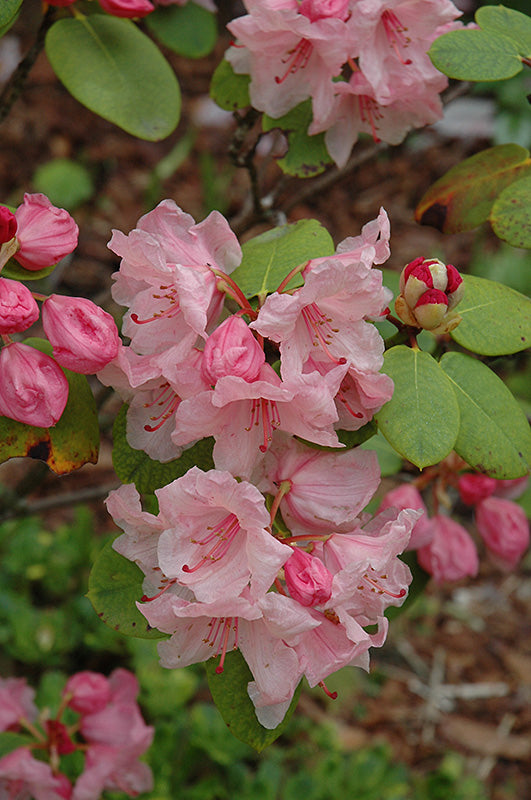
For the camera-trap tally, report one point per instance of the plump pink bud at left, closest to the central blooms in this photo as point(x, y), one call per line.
point(83, 335)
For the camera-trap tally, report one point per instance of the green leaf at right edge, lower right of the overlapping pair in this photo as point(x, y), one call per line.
point(494, 435)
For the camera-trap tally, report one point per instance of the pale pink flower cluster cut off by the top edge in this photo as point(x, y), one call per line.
point(363, 63)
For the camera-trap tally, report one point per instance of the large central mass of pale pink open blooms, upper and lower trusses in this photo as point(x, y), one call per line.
point(267, 552)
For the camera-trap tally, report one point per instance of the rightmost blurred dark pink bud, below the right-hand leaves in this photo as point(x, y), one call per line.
point(504, 528)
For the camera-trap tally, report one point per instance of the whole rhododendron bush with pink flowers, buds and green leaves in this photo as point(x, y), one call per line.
point(263, 381)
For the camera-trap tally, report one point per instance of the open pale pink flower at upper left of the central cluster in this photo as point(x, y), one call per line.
point(166, 279)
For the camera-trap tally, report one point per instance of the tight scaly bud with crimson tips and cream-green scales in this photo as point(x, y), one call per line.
point(429, 293)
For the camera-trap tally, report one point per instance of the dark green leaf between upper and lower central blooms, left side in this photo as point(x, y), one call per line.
point(135, 466)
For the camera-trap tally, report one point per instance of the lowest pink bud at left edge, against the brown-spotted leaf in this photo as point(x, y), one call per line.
point(33, 388)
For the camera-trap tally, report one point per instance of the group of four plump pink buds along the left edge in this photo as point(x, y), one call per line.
point(34, 388)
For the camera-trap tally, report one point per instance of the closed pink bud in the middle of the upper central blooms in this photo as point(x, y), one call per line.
point(232, 350)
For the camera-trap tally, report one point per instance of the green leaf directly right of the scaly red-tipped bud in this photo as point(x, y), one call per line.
point(496, 320)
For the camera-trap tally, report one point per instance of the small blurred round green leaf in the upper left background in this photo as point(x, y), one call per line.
point(66, 183)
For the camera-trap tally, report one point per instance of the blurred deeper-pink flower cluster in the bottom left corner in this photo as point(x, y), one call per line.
point(109, 732)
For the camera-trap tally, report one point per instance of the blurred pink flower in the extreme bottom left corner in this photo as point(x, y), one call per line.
point(23, 776)
